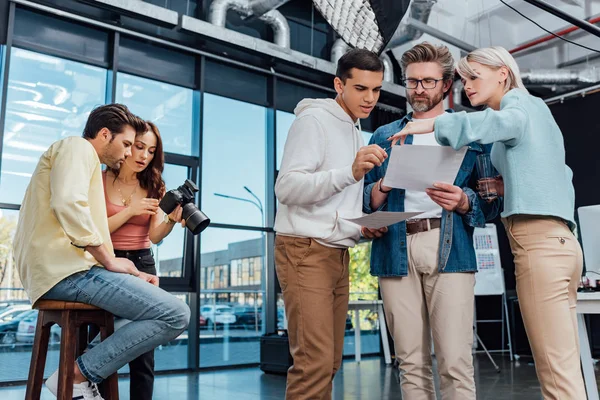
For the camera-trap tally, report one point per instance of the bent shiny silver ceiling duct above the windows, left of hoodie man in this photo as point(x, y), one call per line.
point(217, 15)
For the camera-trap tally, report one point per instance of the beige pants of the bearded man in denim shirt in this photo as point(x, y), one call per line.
point(424, 304)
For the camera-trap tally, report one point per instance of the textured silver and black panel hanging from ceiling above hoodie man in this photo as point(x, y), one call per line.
point(364, 24)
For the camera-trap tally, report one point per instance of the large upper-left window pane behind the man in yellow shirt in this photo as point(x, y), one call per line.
point(48, 99)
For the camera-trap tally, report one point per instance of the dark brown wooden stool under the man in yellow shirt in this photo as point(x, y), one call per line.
point(74, 319)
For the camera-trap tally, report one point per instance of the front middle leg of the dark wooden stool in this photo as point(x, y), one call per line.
point(68, 343)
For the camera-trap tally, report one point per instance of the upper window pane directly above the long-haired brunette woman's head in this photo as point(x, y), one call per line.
point(170, 107)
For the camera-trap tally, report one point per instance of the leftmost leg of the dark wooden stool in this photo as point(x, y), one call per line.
point(38, 358)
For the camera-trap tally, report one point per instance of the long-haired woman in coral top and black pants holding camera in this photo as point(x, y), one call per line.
point(136, 222)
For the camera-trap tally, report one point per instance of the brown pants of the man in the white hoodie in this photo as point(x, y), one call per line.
point(314, 282)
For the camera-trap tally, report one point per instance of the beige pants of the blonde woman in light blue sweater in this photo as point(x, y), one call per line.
point(548, 266)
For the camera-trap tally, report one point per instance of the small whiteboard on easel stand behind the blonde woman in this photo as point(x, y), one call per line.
point(489, 280)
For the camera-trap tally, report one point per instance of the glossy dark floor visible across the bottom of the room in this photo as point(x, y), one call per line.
point(368, 380)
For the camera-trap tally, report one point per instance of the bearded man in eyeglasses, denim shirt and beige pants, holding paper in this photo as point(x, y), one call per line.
point(426, 266)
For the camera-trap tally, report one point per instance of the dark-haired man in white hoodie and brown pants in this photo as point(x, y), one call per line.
point(319, 184)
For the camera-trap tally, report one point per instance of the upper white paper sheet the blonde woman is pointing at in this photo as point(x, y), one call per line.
point(419, 167)
